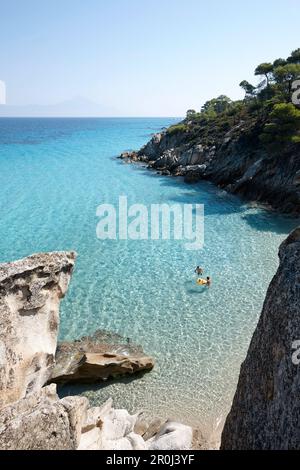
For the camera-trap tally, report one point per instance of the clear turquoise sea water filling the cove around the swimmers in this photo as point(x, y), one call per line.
point(53, 175)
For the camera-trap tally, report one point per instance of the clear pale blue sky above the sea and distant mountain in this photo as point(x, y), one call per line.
point(139, 57)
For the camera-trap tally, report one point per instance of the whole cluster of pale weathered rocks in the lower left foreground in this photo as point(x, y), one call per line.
point(32, 416)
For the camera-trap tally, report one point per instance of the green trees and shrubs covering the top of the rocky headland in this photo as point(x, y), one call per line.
point(267, 112)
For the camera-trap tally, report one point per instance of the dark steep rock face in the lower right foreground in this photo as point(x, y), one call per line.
point(266, 409)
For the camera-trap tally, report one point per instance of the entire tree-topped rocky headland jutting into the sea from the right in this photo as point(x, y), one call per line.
point(249, 147)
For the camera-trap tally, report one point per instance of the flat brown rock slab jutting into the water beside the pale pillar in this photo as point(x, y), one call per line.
point(92, 359)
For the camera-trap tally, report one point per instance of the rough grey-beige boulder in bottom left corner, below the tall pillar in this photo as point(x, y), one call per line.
point(41, 422)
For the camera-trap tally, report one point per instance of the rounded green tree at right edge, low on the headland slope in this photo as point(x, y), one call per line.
point(283, 126)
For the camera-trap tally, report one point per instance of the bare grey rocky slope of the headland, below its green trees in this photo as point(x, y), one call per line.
point(234, 160)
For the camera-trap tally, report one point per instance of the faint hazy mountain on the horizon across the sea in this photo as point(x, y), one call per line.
point(77, 107)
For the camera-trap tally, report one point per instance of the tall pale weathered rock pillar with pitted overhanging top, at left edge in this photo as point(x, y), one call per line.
point(30, 294)
